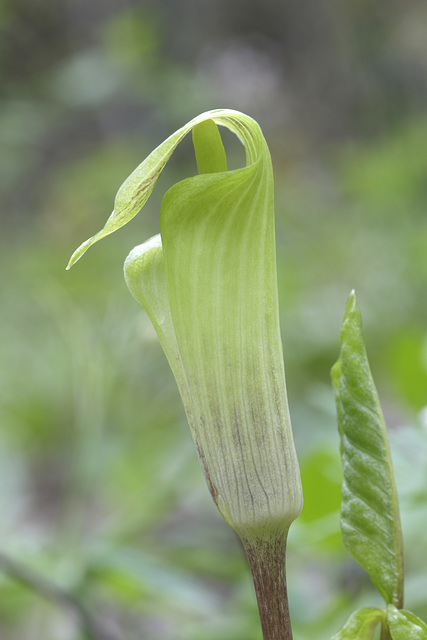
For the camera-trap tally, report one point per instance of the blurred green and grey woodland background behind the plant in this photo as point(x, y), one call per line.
point(100, 487)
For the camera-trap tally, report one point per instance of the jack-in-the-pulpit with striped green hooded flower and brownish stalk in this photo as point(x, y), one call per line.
point(208, 283)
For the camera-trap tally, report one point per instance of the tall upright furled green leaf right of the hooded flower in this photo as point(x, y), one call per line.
point(370, 521)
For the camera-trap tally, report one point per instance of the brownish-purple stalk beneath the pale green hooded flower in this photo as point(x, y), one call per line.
point(267, 561)
